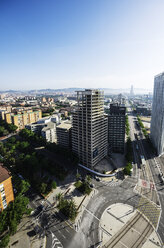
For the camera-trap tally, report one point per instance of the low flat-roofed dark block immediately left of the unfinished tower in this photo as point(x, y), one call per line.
point(63, 132)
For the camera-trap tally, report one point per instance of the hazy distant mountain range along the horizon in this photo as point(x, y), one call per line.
point(72, 90)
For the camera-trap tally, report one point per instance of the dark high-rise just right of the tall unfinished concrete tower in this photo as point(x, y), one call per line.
point(116, 128)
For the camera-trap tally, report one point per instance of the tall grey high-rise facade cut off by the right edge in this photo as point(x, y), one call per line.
point(157, 120)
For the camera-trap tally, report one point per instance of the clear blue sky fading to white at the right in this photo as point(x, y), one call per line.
point(80, 43)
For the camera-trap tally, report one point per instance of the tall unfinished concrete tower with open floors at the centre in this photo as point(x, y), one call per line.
point(89, 131)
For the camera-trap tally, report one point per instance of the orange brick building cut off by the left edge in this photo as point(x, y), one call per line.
point(6, 189)
